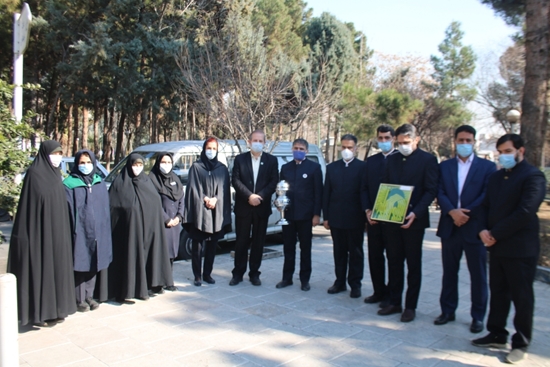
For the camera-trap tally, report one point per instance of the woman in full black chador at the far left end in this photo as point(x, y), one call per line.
point(40, 247)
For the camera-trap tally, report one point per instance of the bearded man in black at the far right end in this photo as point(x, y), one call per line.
point(509, 227)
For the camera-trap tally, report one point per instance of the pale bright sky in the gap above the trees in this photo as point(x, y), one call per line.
point(418, 26)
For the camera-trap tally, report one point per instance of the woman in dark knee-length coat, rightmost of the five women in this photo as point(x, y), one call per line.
point(207, 214)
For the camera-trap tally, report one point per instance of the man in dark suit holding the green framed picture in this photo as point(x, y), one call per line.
point(412, 167)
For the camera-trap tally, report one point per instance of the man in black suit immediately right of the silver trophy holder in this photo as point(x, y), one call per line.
point(343, 215)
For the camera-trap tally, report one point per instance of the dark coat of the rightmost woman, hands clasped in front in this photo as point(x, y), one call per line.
point(212, 183)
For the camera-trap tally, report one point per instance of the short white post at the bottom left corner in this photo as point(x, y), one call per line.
point(9, 345)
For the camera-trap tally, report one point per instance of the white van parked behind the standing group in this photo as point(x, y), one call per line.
point(188, 151)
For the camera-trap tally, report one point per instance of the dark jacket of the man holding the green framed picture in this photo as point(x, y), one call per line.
point(420, 170)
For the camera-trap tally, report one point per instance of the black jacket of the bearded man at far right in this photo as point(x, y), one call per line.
point(509, 210)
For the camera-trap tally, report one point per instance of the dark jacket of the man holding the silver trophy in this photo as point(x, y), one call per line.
point(305, 189)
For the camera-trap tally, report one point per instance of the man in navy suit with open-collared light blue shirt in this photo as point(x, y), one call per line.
point(462, 185)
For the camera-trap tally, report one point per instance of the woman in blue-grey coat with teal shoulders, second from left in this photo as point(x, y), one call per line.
point(91, 229)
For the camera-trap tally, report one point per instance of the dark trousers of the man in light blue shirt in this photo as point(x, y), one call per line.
point(476, 259)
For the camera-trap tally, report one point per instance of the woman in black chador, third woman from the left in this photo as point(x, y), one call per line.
point(141, 263)
